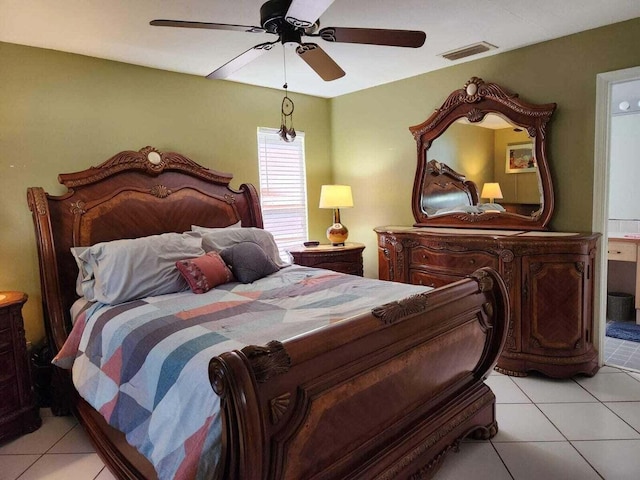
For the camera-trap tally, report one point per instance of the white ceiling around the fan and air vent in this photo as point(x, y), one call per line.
point(119, 30)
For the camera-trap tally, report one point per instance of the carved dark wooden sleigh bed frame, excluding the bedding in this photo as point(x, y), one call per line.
point(383, 395)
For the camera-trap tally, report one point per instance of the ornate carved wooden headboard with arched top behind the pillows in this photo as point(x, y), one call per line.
point(132, 194)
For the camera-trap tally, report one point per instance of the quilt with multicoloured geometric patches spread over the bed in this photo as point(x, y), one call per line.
point(144, 364)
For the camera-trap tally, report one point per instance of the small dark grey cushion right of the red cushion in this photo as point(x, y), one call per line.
point(248, 262)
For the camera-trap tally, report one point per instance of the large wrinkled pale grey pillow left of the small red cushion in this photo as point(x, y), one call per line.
point(123, 270)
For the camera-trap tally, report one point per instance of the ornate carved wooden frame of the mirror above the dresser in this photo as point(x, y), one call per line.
point(473, 102)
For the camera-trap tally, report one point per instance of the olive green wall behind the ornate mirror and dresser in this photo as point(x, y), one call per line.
point(375, 153)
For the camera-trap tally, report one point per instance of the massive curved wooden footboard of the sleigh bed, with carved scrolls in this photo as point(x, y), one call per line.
point(378, 396)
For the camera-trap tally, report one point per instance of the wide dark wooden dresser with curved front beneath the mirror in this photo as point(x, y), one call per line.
point(549, 275)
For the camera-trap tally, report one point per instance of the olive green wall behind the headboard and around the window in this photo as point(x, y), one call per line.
point(62, 113)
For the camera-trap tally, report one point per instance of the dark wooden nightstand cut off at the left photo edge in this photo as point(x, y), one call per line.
point(19, 413)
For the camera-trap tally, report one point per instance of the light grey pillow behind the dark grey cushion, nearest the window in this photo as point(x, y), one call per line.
point(217, 239)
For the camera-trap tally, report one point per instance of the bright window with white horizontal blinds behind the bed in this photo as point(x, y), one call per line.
point(283, 188)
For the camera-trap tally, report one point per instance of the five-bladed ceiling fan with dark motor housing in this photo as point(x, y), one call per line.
point(293, 19)
